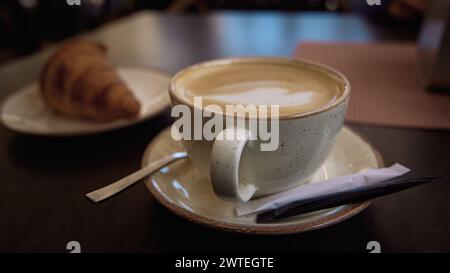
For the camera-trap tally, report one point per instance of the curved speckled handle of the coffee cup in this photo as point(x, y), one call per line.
point(225, 158)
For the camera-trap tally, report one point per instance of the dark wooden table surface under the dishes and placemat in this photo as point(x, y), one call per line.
point(43, 180)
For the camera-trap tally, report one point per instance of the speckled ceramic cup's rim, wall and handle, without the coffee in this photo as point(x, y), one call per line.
point(239, 170)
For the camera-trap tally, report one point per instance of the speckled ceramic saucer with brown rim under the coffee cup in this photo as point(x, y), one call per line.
point(182, 190)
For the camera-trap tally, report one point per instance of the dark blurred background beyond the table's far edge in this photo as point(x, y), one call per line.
point(28, 25)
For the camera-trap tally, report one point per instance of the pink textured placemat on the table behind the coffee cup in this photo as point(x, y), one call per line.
point(385, 87)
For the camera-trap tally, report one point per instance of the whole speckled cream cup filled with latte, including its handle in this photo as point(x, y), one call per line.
point(256, 126)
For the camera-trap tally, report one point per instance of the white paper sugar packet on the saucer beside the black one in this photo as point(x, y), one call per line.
point(333, 185)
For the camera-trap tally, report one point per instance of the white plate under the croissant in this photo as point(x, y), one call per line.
point(25, 111)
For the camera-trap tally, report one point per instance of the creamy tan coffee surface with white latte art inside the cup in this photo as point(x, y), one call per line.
point(296, 88)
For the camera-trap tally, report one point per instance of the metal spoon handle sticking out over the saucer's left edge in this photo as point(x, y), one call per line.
point(108, 191)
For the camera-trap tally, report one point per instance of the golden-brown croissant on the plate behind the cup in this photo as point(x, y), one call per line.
point(78, 81)
